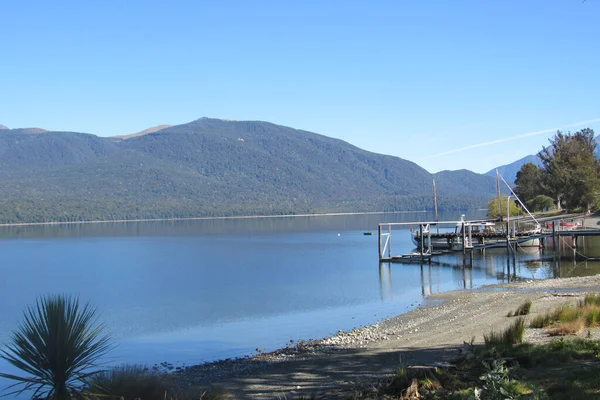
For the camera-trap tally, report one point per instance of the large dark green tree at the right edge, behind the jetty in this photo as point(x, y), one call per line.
point(571, 169)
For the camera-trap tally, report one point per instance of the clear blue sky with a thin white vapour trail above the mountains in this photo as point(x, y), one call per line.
point(446, 84)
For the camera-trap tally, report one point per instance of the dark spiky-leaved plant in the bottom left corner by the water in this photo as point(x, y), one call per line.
point(57, 346)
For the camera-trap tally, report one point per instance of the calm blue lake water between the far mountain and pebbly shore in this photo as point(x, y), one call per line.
point(192, 291)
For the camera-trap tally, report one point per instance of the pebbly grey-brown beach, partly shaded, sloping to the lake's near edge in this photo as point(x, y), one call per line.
point(424, 336)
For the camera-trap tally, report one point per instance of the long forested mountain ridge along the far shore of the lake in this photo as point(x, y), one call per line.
point(212, 167)
